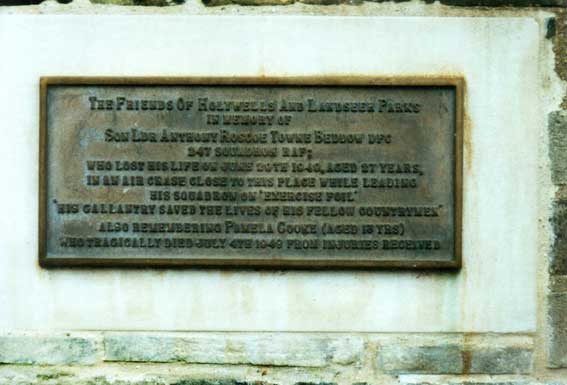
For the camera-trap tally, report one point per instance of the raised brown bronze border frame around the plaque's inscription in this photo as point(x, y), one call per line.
point(457, 82)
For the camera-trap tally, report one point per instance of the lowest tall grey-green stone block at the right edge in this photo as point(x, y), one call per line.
point(557, 355)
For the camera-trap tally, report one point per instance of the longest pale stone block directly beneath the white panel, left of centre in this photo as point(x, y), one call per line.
point(259, 349)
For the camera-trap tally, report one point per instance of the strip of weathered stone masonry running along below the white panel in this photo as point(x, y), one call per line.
point(271, 358)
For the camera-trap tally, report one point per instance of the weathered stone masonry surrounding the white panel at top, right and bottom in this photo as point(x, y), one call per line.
point(263, 358)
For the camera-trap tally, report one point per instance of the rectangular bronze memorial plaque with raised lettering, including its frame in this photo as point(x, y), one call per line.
point(319, 172)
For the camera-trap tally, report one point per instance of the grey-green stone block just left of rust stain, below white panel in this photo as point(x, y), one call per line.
point(440, 359)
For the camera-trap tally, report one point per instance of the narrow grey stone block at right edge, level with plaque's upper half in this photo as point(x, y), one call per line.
point(557, 126)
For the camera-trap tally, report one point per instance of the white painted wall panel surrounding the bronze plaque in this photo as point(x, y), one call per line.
point(495, 290)
